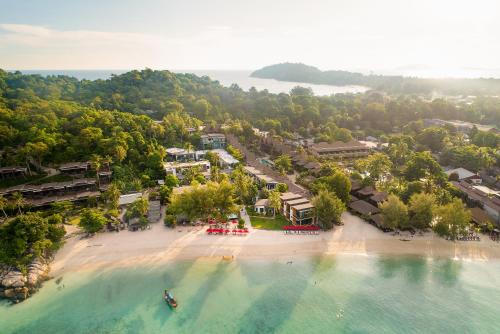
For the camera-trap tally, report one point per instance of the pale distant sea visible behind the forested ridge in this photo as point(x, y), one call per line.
point(226, 78)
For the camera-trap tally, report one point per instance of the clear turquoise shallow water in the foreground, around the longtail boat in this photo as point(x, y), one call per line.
point(343, 294)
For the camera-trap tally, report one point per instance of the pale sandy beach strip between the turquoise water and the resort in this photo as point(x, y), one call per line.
point(161, 245)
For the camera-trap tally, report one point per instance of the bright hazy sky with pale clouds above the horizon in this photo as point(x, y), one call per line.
point(444, 36)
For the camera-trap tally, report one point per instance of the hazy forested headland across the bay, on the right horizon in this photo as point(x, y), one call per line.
point(391, 84)
